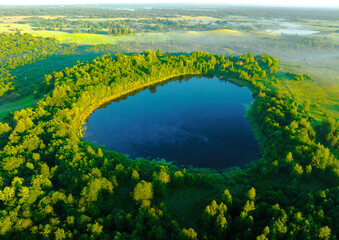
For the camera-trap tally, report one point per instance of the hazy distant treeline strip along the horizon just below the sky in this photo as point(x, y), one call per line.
point(293, 14)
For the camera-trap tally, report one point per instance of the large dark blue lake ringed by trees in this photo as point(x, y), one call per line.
point(198, 122)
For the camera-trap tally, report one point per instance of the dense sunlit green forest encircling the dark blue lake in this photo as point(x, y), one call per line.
point(54, 185)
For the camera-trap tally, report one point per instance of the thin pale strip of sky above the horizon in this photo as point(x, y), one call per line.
point(286, 3)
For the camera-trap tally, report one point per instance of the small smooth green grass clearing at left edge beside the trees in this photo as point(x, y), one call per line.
point(6, 108)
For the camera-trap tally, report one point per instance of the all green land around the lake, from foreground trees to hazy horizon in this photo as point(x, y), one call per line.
point(53, 185)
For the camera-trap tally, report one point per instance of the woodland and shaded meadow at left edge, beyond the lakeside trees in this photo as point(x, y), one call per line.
point(27, 59)
